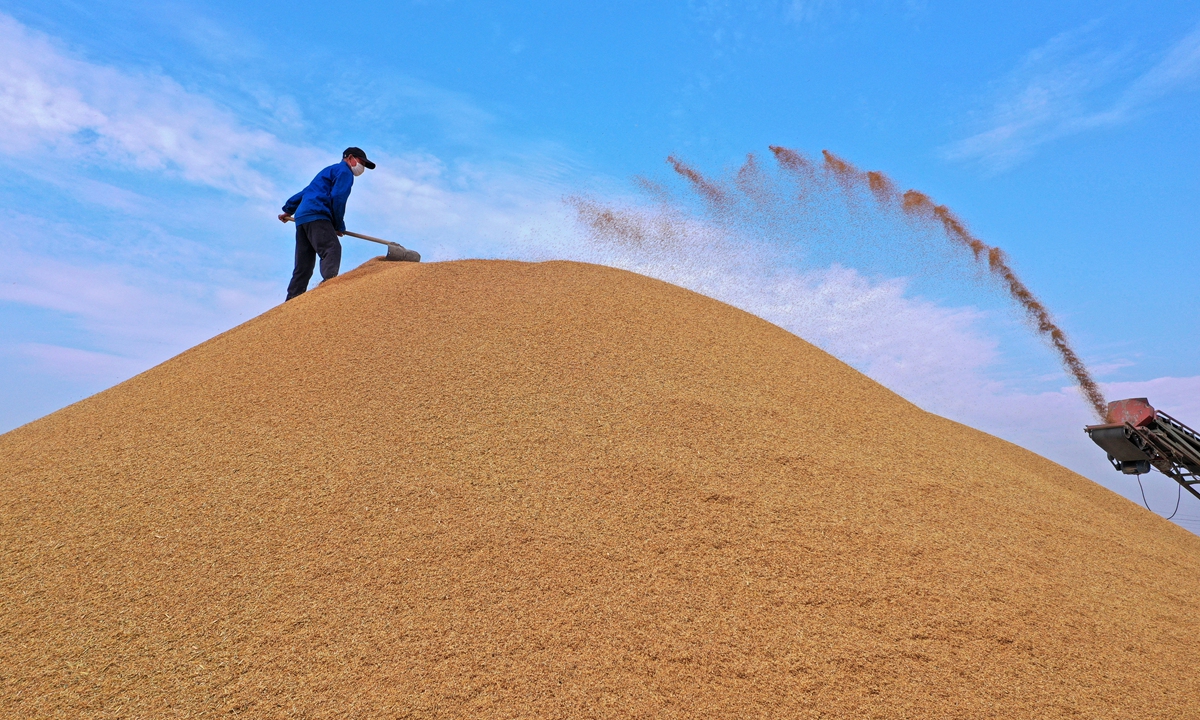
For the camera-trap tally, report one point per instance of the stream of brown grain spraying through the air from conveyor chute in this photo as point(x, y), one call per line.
point(754, 202)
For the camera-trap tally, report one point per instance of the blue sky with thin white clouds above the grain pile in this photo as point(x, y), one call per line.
point(146, 148)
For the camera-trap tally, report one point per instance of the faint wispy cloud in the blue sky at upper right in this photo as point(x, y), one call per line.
point(1067, 88)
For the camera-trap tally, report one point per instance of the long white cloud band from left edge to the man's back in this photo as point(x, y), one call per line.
point(82, 111)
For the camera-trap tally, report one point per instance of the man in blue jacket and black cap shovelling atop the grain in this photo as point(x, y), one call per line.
point(320, 211)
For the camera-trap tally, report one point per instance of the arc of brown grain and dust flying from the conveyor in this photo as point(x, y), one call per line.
point(826, 211)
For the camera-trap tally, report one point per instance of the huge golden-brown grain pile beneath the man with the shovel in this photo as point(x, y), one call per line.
point(502, 490)
